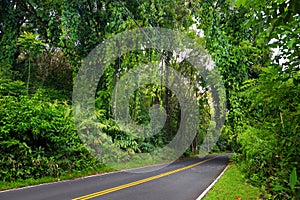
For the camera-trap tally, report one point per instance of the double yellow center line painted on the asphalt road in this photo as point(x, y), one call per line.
point(121, 187)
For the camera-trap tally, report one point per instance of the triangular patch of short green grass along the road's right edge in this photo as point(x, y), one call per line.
point(232, 185)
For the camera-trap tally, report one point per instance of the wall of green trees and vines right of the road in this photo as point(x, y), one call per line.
point(262, 89)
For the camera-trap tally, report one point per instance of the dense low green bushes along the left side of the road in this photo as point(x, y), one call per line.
point(38, 138)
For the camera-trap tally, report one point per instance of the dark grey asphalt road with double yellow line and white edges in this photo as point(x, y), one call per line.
point(181, 180)
